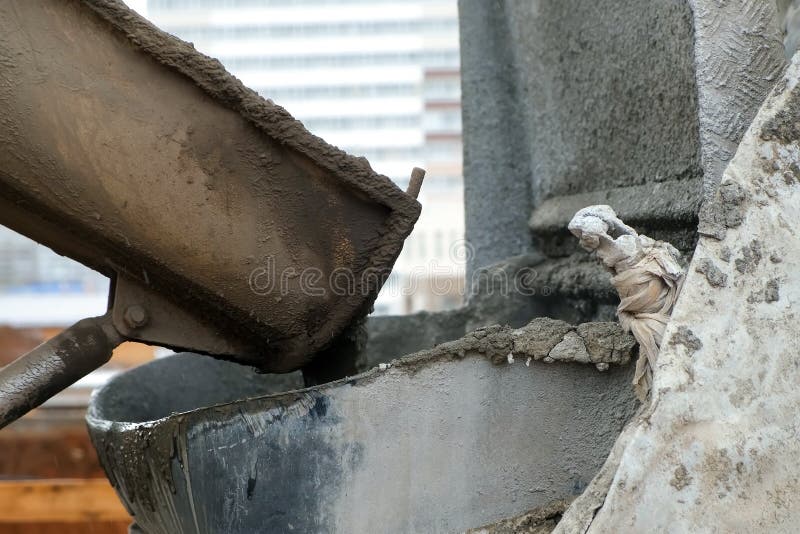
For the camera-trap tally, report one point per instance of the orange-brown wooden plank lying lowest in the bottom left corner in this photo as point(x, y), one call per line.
point(60, 501)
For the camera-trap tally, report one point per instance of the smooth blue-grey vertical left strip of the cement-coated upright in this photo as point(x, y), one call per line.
point(497, 187)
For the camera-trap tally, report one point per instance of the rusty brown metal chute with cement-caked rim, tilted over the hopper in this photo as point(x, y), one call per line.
point(129, 151)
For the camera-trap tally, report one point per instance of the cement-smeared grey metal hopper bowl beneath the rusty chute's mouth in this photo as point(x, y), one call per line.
point(437, 442)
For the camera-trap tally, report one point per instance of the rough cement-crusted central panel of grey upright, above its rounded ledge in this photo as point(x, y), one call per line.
point(608, 93)
